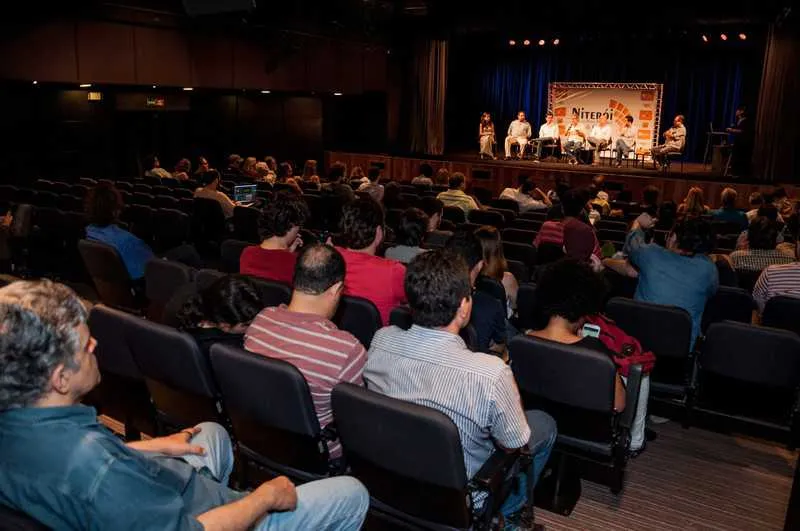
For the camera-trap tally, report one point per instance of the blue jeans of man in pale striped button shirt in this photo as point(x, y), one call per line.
point(543, 436)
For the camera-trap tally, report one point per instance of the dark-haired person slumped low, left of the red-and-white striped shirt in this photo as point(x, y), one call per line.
point(221, 312)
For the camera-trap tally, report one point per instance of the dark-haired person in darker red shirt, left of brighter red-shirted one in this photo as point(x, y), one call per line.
point(280, 224)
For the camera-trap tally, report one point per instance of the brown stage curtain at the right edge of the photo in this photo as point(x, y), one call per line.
point(776, 155)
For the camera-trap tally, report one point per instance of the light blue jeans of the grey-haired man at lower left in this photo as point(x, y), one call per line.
point(339, 503)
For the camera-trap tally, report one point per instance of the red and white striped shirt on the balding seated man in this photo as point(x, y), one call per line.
point(323, 354)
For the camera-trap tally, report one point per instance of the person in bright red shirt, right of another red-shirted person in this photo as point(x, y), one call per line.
point(371, 277)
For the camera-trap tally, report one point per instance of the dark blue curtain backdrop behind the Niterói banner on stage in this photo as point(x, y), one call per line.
point(705, 83)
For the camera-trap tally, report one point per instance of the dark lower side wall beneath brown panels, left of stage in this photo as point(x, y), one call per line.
point(57, 133)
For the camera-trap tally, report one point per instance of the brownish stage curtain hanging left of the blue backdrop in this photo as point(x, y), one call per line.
point(428, 97)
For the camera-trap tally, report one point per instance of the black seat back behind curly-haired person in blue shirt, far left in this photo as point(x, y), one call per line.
point(109, 275)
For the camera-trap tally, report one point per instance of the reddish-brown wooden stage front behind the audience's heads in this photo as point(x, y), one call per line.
point(498, 174)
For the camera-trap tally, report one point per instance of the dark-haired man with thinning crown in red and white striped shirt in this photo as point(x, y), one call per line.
point(303, 334)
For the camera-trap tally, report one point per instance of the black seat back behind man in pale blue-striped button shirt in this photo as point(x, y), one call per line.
point(408, 456)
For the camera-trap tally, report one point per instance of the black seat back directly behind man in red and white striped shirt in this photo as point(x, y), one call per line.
point(270, 407)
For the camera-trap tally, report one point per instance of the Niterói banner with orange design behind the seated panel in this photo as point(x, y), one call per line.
point(616, 101)
